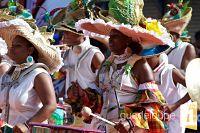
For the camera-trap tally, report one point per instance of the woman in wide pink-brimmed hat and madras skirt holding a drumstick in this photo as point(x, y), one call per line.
point(125, 80)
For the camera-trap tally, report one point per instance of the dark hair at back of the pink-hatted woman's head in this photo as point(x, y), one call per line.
point(135, 46)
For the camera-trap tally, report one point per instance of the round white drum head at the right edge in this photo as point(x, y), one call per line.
point(193, 80)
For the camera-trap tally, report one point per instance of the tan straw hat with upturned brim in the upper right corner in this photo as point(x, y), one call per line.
point(178, 25)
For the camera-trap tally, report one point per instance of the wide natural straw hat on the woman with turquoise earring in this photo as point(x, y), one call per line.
point(47, 54)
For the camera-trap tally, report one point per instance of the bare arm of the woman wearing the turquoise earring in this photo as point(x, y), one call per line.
point(44, 88)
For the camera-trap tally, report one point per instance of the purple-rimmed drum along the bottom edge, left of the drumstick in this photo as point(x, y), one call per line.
point(50, 128)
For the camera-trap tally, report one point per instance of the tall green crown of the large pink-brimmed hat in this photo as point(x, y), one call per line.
point(126, 11)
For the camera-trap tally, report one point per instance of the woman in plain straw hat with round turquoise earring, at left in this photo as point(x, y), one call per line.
point(27, 93)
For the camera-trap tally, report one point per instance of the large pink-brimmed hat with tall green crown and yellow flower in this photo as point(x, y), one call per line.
point(151, 34)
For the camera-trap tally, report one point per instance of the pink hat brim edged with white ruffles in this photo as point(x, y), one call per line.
point(147, 38)
